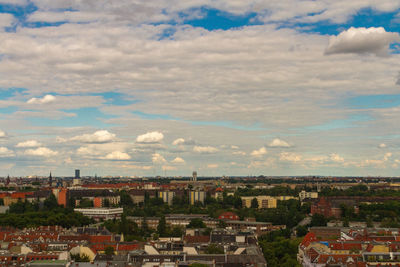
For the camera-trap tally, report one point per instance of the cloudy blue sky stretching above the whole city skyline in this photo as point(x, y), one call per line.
point(223, 87)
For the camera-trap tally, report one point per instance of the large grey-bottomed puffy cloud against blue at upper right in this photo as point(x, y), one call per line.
point(362, 40)
